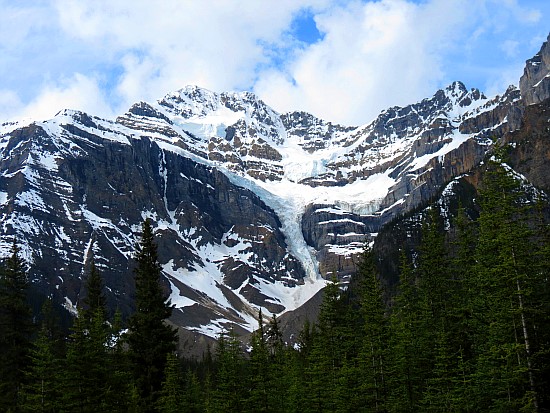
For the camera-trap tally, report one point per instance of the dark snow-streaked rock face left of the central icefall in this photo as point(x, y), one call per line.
point(69, 193)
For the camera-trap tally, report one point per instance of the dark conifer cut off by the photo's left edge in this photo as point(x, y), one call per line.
point(16, 328)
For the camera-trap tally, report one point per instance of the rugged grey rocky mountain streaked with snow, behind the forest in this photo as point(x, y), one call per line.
point(251, 208)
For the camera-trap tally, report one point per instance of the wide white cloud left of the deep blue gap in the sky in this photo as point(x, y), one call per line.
point(166, 45)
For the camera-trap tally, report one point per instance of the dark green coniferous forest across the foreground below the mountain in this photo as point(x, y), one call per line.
point(465, 329)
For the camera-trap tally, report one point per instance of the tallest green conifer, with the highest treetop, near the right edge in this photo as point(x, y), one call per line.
point(502, 310)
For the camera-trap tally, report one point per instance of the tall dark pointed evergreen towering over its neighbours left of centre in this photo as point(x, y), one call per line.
point(150, 339)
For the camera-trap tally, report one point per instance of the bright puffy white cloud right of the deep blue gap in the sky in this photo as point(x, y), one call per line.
point(373, 55)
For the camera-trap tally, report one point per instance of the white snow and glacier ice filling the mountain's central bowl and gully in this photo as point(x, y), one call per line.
point(210, 118)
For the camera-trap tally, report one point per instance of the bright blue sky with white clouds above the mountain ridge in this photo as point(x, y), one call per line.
point(344, 61)
